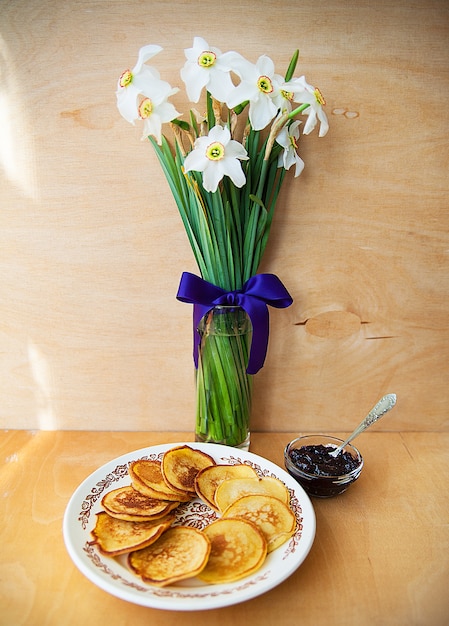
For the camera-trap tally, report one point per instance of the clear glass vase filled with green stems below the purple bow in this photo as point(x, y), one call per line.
point(223, 387)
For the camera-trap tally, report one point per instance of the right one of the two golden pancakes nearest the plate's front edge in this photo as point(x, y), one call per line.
point(238, 549)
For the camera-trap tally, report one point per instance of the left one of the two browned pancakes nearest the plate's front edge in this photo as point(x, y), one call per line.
point(180, 552)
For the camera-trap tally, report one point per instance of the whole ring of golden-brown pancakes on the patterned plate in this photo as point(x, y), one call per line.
point(253, 518)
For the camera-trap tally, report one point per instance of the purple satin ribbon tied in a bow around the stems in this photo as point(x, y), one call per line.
point(258, 292)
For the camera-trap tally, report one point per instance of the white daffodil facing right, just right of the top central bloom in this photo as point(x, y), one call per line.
point(259, 86)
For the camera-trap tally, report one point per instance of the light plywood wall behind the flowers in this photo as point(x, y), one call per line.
point(92, 248)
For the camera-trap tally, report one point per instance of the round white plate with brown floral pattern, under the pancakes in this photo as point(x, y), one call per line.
point(112, 574)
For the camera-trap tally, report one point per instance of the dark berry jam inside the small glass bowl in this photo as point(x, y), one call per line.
point(316, 460)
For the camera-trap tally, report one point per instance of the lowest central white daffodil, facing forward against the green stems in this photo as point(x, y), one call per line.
point(217, 155)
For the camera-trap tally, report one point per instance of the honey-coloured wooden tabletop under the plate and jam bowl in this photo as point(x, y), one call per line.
point(380, 555)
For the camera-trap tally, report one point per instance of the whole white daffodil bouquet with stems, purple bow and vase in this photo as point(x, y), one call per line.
point(225, 168)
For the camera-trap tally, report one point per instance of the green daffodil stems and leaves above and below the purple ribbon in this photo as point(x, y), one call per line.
point(228, 231)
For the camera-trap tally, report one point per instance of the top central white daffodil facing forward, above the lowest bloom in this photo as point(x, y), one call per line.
point(207, 67)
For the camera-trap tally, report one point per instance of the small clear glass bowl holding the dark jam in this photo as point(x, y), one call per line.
point(315, 484)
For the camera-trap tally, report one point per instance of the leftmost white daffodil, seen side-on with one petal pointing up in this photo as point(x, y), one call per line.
point(134, 82)
